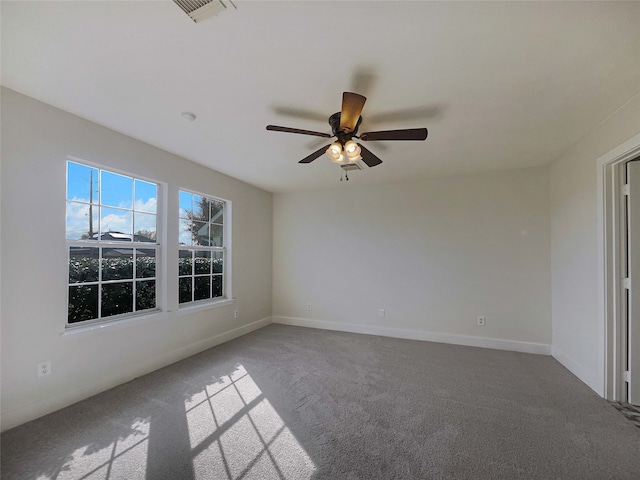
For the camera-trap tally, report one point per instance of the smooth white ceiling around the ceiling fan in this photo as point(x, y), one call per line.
point(499, 85)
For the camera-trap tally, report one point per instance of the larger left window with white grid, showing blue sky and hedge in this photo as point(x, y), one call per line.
point(112, 241)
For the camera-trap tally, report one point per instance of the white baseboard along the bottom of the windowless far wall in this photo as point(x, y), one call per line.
point(455, 339)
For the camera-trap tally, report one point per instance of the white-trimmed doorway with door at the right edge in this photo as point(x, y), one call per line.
point(619, 214)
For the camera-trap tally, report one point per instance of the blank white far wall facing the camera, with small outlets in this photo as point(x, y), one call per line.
point(434, 254)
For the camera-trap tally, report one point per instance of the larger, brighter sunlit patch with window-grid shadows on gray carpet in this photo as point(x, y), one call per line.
point(234, 428)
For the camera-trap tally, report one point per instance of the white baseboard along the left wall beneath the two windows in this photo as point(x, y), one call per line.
point(56, 402)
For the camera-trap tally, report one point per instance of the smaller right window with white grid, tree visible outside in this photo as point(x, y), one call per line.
point(202, 251)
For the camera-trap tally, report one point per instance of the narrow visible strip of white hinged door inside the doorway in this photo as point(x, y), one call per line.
point(633, 273)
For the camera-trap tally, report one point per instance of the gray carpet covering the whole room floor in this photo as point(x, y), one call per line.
point(295, 403)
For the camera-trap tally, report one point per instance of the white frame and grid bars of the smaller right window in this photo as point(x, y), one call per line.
point(225, 249)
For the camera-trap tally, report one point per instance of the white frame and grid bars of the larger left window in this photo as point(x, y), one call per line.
point(105, 244)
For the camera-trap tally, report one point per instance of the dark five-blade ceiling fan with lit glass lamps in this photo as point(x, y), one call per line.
point(344, 126)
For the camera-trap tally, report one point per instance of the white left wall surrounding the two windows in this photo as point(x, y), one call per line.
point(36, 141)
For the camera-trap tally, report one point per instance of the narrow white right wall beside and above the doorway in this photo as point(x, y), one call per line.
point(578, 324)
